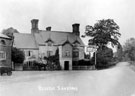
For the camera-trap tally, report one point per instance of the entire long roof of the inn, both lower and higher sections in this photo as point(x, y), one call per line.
point(23, 40)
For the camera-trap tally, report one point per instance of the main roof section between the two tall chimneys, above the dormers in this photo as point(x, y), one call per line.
point(58, 37)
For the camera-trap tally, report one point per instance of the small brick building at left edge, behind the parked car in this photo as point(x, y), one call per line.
point(5, 50)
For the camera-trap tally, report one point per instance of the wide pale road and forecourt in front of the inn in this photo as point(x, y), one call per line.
point(117, 81)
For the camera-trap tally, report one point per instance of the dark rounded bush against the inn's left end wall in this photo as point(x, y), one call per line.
point(17, 55)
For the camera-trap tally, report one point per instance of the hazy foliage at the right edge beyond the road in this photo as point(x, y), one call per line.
point(129, 50)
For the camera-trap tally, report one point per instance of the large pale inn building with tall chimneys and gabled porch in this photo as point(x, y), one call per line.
point(44, 43)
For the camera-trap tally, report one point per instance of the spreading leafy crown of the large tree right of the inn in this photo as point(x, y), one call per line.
point(103, 32)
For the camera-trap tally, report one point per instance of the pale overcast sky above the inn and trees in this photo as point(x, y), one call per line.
point(61, 14)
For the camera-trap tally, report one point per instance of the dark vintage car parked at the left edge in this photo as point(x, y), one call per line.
point(5, 69)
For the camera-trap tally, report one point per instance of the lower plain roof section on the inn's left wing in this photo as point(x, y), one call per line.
point(23, 40)
